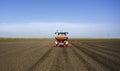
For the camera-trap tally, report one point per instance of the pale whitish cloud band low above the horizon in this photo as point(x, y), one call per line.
point(47, 29)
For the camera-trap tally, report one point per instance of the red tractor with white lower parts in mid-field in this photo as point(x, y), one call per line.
point(61, 39)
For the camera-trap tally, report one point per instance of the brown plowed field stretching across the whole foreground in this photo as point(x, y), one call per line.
point(41, 55)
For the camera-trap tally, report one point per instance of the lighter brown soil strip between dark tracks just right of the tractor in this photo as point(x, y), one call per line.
point(88, 62)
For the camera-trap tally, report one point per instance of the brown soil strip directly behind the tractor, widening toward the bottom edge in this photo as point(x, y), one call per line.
point(61, 61)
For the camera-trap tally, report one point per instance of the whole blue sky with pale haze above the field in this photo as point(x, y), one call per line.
point(41, 18)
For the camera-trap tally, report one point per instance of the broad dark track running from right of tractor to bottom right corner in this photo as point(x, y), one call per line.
point(111, 65)
